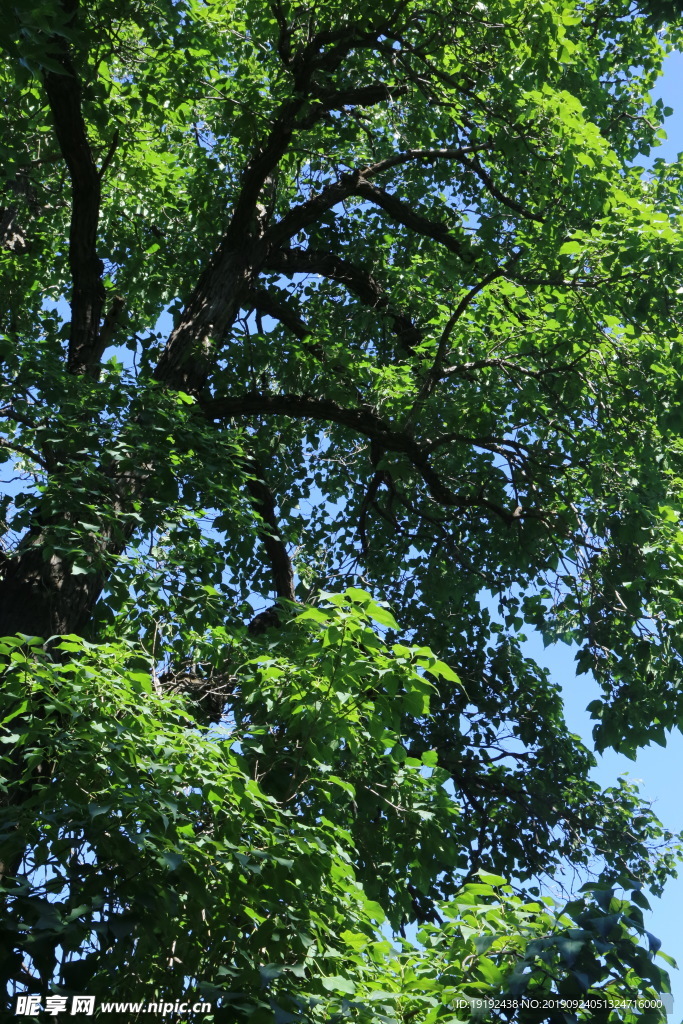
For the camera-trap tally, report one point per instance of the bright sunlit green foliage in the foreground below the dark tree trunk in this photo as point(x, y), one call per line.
point(258, 871)
